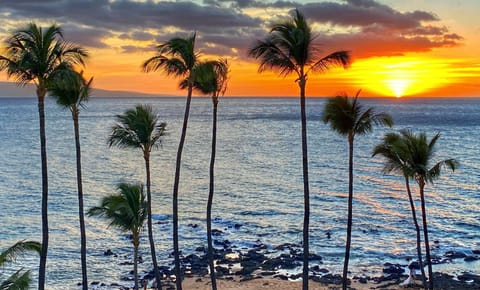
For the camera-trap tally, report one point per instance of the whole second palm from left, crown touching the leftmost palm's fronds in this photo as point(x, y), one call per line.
point(71, 91)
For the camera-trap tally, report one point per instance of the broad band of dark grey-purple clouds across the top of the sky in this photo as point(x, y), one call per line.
point(224, 27)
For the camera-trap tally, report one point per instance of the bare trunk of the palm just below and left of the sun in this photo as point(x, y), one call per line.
point(350, 211)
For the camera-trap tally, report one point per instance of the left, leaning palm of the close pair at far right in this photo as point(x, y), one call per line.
point(395, 151)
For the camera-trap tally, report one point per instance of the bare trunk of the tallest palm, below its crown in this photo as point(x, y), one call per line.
point(306, 190)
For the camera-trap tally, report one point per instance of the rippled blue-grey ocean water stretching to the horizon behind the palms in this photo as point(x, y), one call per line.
point(258, 182)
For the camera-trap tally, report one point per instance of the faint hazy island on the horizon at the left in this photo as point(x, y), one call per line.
point(10, 89)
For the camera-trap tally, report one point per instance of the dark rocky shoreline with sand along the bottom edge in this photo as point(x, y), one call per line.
point(263, 268)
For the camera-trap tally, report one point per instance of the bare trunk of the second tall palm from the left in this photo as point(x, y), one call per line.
point(83, 238)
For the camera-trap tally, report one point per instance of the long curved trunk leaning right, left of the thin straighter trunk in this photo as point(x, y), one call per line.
point(176, 251)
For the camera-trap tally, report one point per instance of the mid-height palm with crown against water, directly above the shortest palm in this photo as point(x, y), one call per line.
point(140, 128)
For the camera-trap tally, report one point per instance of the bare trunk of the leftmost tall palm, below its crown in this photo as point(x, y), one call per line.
point(41, 92)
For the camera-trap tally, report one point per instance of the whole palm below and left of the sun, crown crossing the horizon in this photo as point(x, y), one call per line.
point(347, 117)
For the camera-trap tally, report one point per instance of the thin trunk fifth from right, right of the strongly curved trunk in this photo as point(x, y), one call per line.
point(210, 197)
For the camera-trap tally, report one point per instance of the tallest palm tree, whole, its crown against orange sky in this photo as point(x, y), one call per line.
point(289, 49)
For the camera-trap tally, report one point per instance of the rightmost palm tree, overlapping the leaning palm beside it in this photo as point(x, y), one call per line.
point(420, 168)
